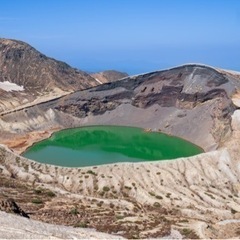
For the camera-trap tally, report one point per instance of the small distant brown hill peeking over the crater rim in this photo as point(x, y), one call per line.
point(108, 76)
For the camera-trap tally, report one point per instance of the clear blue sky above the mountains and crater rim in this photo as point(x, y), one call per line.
point(128, 35)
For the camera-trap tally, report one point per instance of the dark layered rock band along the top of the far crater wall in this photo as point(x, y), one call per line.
point(172, 88)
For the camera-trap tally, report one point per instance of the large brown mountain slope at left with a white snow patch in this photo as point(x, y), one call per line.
point(27, 75)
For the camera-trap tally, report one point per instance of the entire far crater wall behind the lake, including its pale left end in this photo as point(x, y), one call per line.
point(192, 101)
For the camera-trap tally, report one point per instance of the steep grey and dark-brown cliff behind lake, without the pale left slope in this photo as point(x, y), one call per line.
point(189, 101)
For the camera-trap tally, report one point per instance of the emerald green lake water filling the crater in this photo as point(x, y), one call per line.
point(96, 145)
